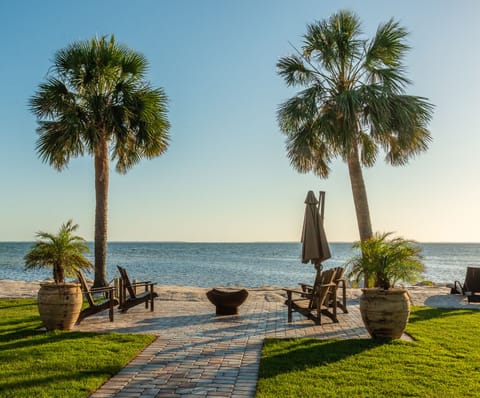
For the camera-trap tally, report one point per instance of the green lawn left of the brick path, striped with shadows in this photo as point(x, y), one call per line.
point(58, 363)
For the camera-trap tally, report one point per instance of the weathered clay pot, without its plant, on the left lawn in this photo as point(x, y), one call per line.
point(59, 305)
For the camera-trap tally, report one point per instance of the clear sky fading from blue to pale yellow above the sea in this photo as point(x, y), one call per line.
point(226, 176)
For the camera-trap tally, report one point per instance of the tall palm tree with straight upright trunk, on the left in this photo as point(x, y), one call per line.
point(96, 101)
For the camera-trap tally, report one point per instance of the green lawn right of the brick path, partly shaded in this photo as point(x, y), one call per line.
point(443, 361)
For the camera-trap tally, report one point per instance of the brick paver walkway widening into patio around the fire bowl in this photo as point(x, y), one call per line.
point(197, 354)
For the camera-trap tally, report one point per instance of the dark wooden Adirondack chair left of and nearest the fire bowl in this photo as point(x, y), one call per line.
point(133, 298)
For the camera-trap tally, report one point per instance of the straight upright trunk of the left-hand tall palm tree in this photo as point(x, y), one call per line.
point(102, 170)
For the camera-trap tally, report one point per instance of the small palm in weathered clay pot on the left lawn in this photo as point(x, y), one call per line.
point(59, 302)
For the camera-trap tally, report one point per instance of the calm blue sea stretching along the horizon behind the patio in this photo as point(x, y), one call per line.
point(234, 264)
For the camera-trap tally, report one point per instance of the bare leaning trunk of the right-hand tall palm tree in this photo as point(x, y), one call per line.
point(359, 196)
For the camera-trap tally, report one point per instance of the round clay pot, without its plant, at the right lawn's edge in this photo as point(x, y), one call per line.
point(385, 312)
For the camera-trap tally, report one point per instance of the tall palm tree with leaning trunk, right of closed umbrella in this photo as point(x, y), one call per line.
point(353, 103)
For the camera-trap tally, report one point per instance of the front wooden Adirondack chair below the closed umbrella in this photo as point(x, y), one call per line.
point(315, 303)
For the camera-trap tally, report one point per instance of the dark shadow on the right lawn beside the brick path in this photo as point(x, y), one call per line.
point(300, 354)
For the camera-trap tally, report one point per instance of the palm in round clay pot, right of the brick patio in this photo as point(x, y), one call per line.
point(385, 261)
